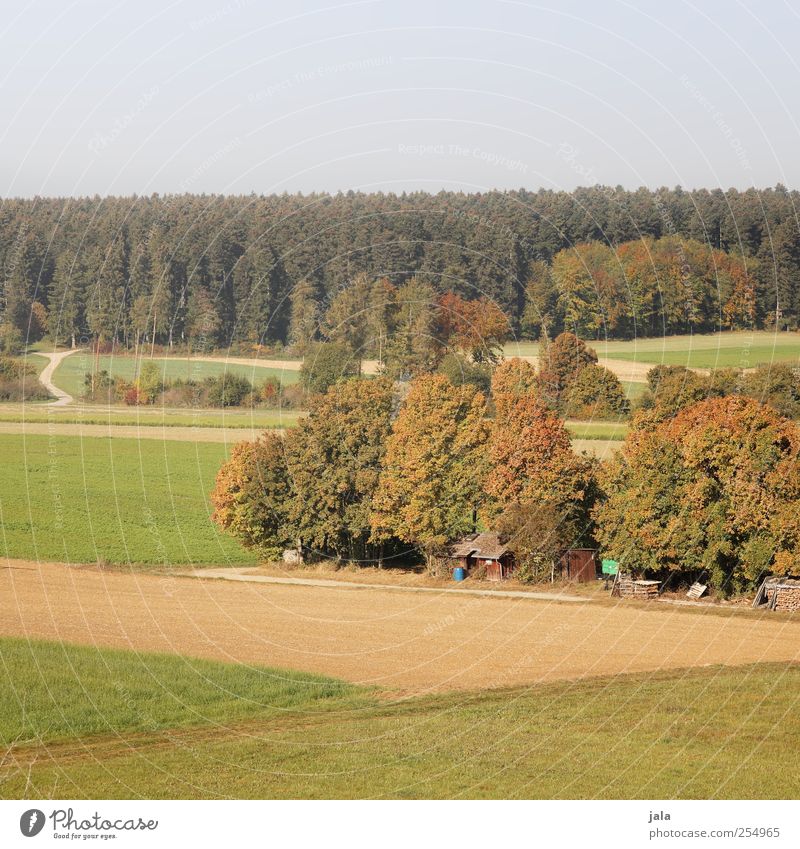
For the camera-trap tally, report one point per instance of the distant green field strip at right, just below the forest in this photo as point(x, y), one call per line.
point(740, 349)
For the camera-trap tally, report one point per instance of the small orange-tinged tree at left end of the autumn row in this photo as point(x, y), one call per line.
point(253, 495)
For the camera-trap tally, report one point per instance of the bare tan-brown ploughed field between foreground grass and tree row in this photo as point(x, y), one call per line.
point(401, 641)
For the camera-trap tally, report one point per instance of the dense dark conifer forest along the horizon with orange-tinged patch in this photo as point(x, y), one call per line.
point(213, 271)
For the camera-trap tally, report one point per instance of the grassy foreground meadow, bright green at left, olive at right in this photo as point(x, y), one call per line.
point(89, 723)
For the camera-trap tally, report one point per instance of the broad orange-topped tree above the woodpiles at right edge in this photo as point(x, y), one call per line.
point(714, 490)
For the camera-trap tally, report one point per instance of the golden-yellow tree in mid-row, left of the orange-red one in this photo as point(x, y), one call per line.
point(431, 484)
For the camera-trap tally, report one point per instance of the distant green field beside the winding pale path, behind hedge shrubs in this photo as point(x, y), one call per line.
point(69, 376)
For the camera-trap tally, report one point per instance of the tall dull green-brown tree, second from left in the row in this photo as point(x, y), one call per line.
point(334, 458)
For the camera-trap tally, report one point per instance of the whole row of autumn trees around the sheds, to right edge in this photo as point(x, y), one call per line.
point(706, 485)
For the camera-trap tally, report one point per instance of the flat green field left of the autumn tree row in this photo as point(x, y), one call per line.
point(87, 500)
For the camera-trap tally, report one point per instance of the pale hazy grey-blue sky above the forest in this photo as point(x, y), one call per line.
point(242, 96)
